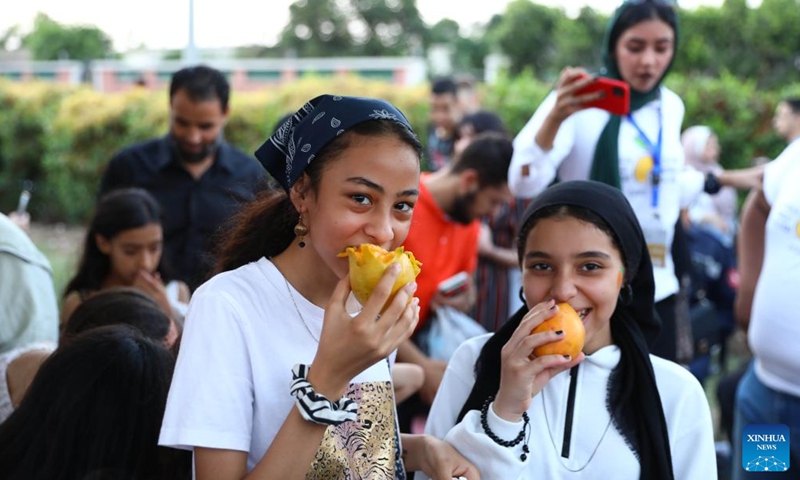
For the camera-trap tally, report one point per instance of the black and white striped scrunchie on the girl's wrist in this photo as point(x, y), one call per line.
point(315, 407)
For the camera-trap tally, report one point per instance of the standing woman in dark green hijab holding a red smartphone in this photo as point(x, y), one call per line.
point(640, 152)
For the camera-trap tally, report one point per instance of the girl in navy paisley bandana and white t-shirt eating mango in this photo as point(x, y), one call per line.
point(349, 170)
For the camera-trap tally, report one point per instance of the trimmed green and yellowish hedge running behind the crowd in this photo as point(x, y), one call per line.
point(61, 138)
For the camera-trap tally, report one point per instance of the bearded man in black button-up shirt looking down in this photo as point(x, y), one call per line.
point(199, 179)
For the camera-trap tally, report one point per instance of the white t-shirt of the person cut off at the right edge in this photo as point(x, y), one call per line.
point(774, 326)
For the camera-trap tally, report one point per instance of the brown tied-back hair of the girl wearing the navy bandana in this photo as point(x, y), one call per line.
point(265, 226)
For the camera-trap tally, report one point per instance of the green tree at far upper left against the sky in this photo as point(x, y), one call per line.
point(50, 40)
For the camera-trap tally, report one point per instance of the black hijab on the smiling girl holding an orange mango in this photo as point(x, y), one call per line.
point(632, 397)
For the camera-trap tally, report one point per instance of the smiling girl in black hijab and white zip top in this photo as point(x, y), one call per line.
point(615, 411)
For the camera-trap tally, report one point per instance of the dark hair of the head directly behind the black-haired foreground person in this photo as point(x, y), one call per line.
point(118, 306)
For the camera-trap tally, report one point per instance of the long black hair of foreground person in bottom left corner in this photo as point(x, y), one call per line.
point(95, 410)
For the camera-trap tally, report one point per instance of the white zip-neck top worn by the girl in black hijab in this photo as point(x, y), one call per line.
point(691, 434)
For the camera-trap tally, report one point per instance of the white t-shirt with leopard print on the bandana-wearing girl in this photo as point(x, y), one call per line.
point(231, 384)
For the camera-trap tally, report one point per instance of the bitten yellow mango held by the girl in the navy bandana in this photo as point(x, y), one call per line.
point(369, 262)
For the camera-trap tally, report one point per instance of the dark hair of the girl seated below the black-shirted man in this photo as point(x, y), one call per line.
point(117, 211)
